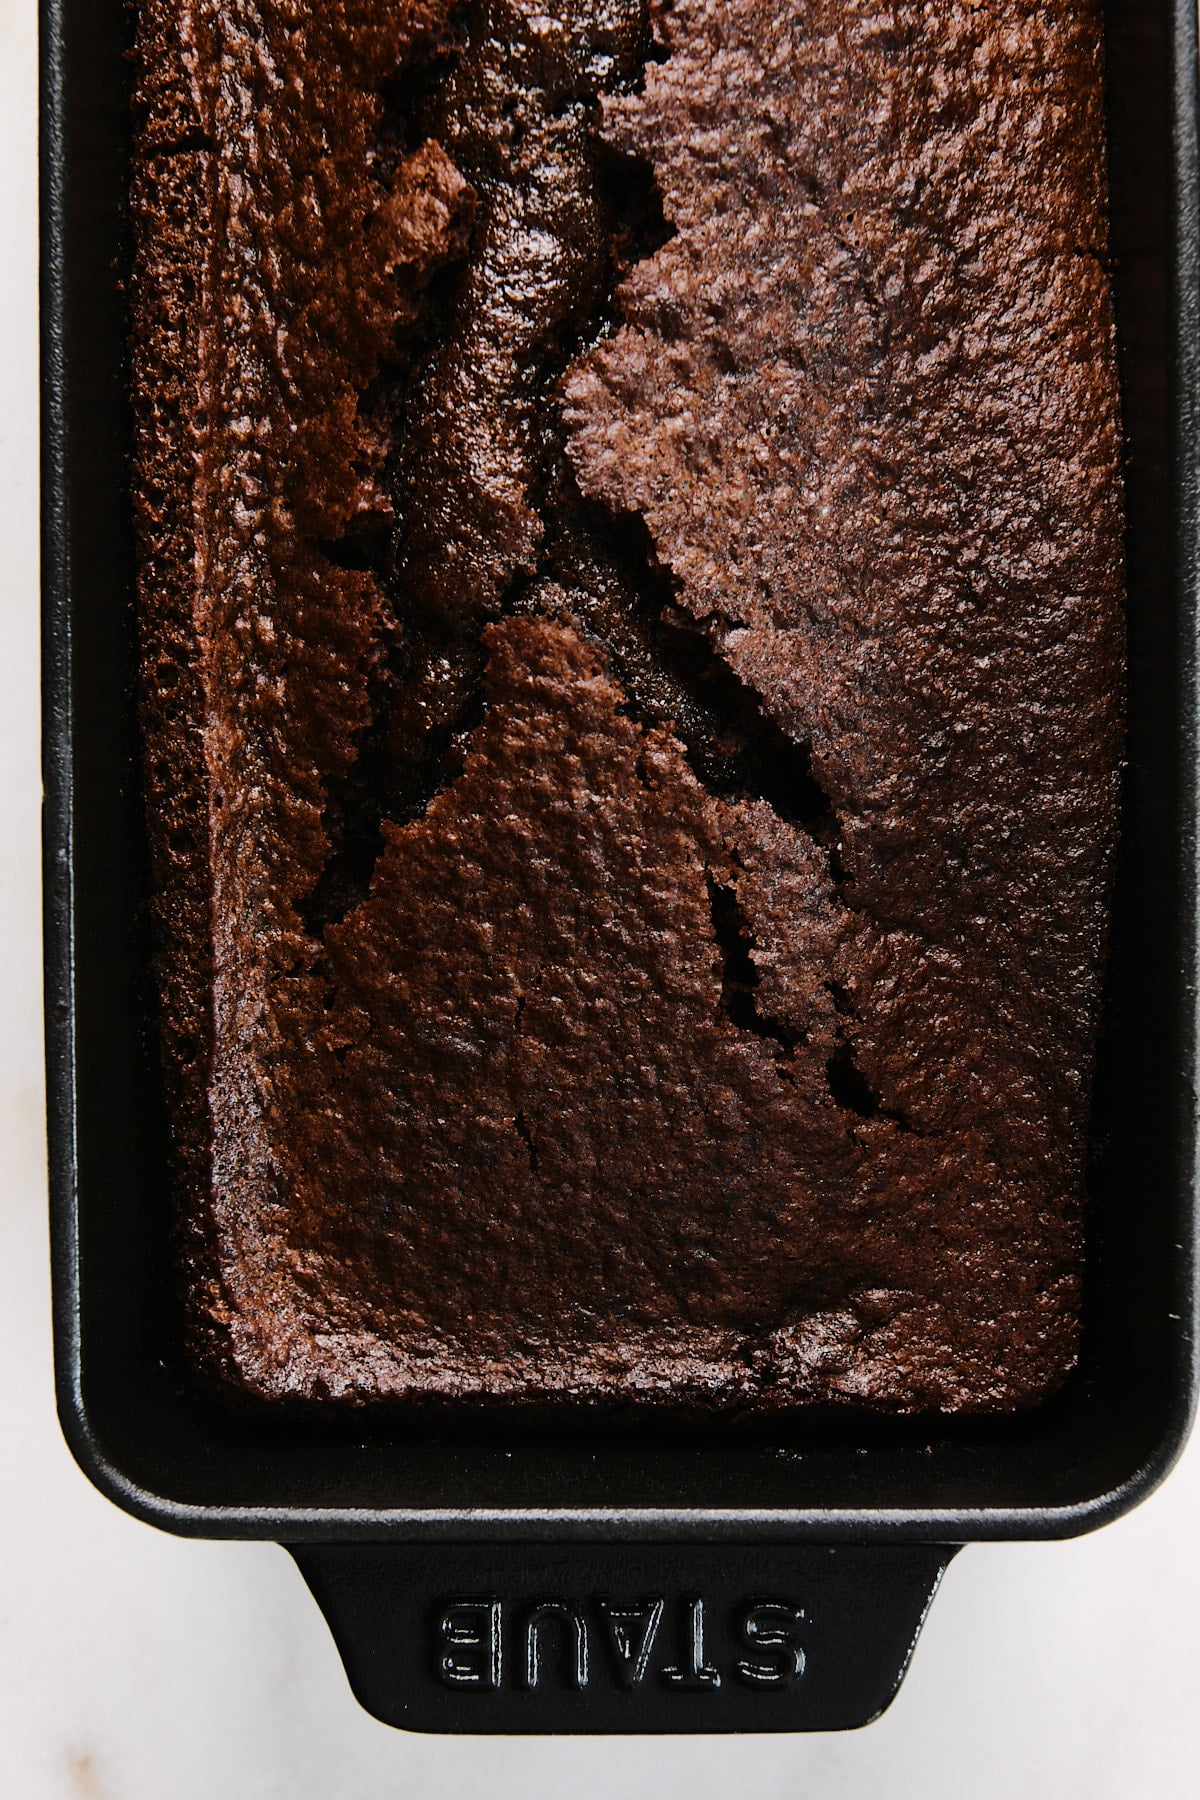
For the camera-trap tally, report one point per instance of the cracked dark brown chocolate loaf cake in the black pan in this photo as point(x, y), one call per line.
point(631, 598)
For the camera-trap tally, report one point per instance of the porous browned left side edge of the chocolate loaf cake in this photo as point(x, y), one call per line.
point(172, 224)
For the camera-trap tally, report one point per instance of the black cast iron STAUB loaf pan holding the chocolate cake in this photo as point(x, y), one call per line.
point(515, 1579)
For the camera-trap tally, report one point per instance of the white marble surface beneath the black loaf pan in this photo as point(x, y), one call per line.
point(139, 1668)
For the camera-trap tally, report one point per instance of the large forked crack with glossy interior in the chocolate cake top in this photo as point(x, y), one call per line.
point(598, 215)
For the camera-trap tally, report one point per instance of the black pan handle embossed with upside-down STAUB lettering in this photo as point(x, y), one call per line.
point(623, 1637)
